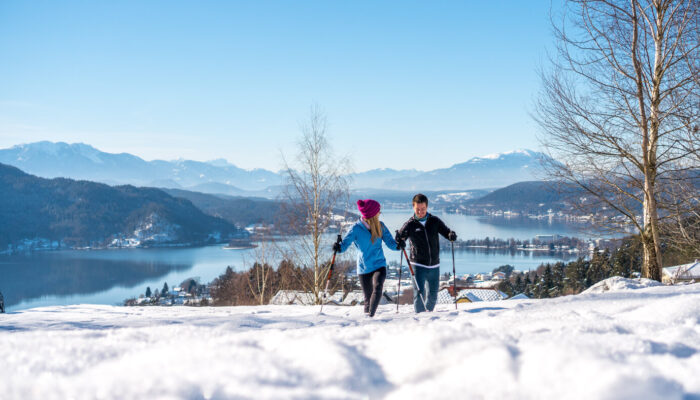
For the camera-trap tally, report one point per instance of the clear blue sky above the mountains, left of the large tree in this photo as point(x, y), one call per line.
point(404, 84)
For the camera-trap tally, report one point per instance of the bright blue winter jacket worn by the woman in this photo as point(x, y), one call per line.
point(371, 255)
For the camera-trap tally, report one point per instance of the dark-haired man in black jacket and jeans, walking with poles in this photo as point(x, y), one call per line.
point(423, 229)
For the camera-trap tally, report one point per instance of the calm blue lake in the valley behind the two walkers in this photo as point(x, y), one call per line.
point(110, 276)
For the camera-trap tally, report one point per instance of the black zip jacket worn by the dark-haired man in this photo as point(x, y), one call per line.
point(425, 244)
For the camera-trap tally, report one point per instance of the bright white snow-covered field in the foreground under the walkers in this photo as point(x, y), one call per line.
point(621, 344)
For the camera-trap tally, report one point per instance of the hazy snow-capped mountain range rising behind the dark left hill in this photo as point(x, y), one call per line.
point(82, 161)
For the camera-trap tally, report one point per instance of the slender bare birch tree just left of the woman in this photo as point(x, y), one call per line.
point(316, 187)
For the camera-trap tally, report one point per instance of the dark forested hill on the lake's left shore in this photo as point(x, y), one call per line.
point(81, 213)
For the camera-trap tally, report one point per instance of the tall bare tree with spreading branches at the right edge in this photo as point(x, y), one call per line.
point(619, 109)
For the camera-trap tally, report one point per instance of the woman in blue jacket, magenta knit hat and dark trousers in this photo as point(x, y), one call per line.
point(367, 235)
